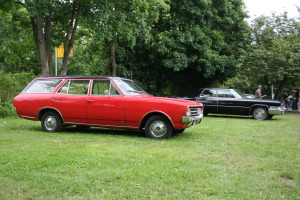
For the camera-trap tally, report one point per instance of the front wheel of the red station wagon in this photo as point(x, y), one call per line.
point(158, 127)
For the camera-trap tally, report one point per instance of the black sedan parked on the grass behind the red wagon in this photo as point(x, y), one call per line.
point(231, 101)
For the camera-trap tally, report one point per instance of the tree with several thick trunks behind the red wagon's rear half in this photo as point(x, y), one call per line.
point(54, 22)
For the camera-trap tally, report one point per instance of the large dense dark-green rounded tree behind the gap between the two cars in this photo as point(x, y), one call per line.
point(194, 45)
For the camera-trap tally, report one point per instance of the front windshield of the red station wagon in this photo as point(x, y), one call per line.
point(129, 87)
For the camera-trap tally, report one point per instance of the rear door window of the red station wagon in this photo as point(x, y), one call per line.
point(75, 87)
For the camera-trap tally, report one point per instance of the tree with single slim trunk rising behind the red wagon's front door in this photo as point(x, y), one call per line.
point(120, 22)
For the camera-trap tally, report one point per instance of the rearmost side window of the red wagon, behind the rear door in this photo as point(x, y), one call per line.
point(42, 86)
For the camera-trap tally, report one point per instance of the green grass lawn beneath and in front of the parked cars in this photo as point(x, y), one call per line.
point(222, 158)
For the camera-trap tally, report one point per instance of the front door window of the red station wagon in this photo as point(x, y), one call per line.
point(104, 87)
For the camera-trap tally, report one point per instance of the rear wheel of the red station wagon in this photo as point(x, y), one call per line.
point(51, 122)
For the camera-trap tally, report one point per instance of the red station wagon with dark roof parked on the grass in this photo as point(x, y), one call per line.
point(101, 101)
